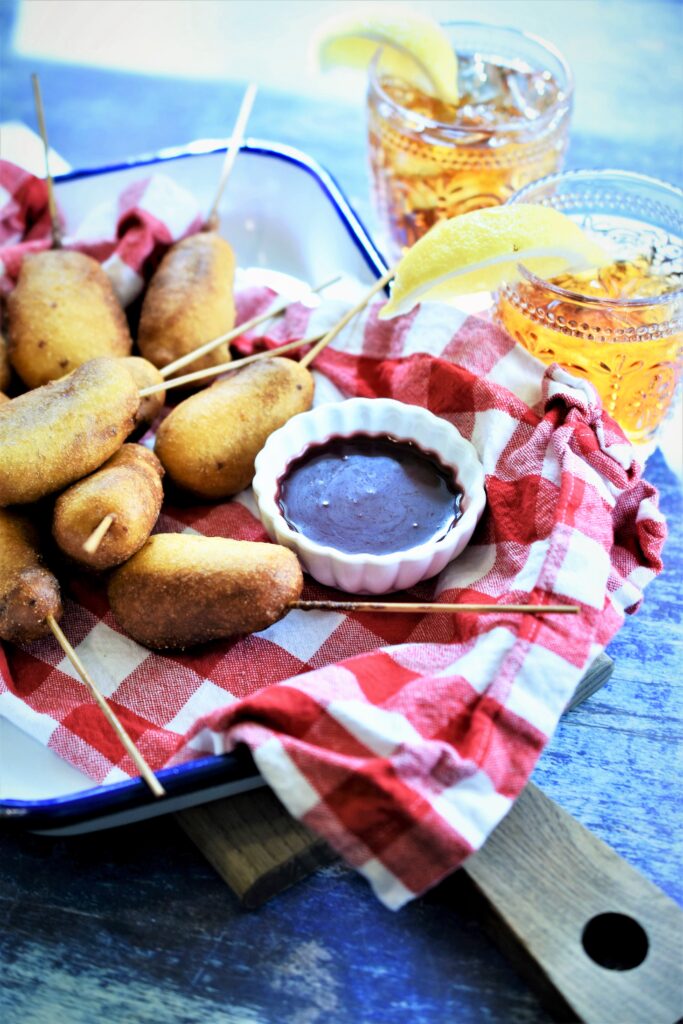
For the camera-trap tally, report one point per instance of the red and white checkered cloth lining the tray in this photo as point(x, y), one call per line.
point(403, 740)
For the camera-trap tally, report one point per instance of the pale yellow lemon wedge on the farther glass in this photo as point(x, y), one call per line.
point(419, 50)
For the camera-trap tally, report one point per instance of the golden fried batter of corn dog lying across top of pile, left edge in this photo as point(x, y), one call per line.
point(56, 435)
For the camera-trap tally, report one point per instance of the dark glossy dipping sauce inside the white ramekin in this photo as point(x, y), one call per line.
point(370, 495)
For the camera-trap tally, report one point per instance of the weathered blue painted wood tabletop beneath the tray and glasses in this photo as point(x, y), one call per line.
point(134, 925)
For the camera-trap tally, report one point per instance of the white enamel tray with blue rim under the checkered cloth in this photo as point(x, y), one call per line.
point(282, 214)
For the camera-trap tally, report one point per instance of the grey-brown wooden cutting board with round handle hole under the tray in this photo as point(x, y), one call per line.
point(597, 942)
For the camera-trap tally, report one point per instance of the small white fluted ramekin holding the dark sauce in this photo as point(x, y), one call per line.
point(365, 574)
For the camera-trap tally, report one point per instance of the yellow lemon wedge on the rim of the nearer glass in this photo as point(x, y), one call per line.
point(480, 251)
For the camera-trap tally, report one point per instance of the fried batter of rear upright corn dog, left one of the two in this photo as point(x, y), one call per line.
point(63, 313)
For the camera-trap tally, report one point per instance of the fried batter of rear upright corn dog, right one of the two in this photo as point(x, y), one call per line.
point(189, 303)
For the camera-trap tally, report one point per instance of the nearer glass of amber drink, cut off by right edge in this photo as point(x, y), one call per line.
point(620, 327)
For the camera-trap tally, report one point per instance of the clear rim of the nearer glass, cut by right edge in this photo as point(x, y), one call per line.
point(597, 302)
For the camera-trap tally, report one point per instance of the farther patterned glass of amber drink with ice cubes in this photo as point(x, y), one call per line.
point(431, 160)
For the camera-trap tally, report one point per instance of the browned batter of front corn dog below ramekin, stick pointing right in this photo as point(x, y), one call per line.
point(183, 589)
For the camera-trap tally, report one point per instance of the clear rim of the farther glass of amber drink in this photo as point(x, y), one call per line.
point(456, 127)
